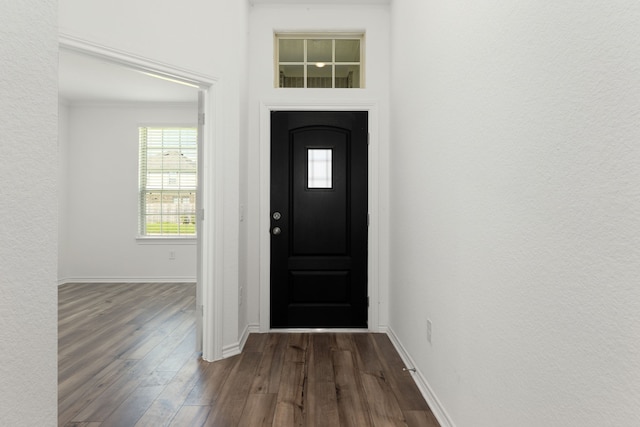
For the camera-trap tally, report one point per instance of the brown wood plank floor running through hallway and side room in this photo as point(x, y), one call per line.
point(126, 358)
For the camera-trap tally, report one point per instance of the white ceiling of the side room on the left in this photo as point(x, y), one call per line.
point(83, 78)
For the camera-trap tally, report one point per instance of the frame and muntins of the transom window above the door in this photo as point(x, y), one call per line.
point(306, 36)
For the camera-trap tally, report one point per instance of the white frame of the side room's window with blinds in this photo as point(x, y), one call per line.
point(174, 238)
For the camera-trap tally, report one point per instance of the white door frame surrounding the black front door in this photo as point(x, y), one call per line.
point(373, 201)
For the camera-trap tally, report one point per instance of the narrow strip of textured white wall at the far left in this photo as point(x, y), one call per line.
point(28, 213)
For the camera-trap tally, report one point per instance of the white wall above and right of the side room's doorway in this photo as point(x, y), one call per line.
point(200, 36)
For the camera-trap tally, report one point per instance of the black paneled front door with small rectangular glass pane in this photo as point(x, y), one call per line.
point(319, 219)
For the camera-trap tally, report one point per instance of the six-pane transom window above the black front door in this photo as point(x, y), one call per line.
point(319, 60)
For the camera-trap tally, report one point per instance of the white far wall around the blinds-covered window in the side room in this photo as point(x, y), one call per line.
point(100, 216)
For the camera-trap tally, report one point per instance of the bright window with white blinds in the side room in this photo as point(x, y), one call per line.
point(168, 181)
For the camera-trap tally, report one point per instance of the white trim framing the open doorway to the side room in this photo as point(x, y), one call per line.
point(210, 219)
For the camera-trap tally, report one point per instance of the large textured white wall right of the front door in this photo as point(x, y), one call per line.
point(515, 208)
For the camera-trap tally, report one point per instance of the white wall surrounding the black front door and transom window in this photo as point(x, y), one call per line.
point(264, 20)
